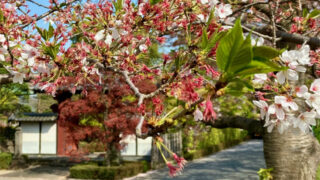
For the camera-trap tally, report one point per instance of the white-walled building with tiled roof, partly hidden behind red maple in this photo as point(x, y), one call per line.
point(41, 134)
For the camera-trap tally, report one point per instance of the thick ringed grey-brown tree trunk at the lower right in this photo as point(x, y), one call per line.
point(292, 155)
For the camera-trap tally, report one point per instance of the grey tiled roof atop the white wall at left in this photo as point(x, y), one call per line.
point(34, 117)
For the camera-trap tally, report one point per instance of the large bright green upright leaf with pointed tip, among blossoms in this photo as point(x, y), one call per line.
point(233, 52)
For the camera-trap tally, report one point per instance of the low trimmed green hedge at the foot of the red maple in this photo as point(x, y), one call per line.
point(94, 171)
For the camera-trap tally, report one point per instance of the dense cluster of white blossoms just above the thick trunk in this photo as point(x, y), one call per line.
point(297, 105)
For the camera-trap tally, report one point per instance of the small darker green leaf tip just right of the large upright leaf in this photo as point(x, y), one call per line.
point(265, 52)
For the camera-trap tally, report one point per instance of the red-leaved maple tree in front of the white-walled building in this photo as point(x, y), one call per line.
point(107, 116)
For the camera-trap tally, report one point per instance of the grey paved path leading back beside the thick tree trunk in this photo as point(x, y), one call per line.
point(240, 162)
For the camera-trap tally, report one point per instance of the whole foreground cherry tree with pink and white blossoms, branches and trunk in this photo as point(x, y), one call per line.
point(193, 51)
